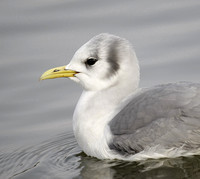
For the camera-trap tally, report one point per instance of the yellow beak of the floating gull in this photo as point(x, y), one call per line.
point(58, 72)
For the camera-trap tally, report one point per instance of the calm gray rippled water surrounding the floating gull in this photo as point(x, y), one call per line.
point(36, 138)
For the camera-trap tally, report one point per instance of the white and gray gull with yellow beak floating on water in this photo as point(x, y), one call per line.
point(115, 119)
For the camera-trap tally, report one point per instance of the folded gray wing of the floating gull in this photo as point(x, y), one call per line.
point(166, 115)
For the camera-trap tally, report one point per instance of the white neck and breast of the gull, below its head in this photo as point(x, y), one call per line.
point(95, 109)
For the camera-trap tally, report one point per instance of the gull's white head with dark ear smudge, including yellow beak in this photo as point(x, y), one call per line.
point(104, 61)
